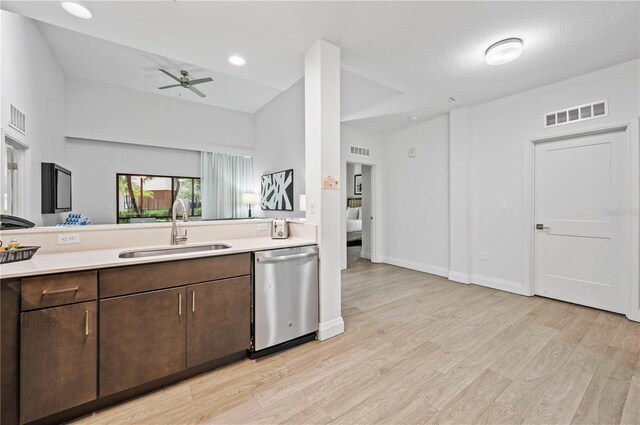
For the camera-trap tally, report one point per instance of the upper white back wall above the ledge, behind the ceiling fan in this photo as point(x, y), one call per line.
point(99, 111)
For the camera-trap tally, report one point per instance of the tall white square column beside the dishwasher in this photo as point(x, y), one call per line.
point(322, 158)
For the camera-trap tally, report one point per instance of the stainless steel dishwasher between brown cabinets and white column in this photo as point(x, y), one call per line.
point(285, 299)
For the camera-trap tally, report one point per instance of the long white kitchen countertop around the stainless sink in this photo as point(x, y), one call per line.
point(96, 259)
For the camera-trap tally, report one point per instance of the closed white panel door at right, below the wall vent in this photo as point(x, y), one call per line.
point(582, 216)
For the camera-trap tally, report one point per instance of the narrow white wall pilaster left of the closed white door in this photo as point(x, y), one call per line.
point(459, 243)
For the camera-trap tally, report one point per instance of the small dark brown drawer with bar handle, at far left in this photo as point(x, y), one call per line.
point(58, 289)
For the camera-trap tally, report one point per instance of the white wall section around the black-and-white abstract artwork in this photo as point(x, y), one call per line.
point(279, 144)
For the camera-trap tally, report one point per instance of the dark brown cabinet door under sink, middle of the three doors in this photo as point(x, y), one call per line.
point(142, 338)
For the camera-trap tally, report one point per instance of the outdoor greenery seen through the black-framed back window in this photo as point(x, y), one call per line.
point(144, 199)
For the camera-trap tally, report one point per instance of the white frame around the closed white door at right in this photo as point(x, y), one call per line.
point(630, 128)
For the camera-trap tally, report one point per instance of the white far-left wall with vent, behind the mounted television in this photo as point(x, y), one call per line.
point(34, 83)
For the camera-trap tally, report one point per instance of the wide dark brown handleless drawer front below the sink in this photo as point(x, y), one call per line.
point(147, 277)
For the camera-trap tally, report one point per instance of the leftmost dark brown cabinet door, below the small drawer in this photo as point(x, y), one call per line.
point(58, 359)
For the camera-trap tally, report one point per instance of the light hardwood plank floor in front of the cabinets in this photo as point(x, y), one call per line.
point(420, 349)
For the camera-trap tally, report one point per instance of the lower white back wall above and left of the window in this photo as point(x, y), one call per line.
point(94, 165)
